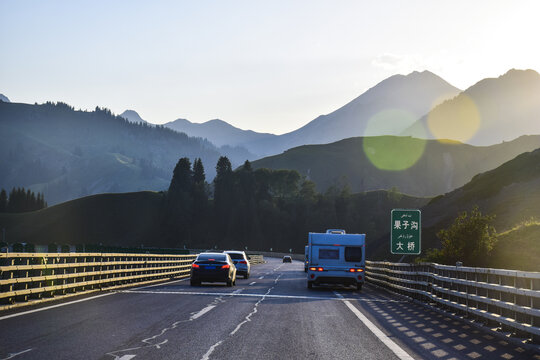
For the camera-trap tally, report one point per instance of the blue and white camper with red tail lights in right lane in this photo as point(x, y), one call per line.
point(336, 257)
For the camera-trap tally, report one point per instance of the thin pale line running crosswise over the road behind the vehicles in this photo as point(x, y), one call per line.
point(260, 295)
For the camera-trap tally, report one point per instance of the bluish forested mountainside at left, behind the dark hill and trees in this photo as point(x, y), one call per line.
point(65, 154)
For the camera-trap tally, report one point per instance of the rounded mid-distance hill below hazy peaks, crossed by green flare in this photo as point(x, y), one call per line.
point(442, 167)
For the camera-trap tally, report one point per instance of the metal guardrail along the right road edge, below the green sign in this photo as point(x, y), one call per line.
point(500, 298)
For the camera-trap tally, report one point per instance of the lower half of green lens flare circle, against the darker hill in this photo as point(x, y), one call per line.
point(392, 152)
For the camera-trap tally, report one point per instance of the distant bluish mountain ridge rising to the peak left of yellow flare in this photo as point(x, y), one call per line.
point(388, 108)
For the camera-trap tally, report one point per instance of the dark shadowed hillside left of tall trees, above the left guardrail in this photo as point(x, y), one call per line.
point(128, 219)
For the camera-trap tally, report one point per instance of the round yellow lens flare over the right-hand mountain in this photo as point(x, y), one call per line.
point(459, 120)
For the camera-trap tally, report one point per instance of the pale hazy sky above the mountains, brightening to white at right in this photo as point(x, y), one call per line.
point(269, 66)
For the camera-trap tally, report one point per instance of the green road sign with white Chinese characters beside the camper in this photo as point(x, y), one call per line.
point(405, 232)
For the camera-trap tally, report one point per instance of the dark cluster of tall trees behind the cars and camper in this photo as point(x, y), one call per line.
point(256, 209)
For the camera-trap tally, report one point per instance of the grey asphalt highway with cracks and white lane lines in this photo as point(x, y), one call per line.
point(271, 315)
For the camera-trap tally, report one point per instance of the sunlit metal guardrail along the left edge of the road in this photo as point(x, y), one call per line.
point(29, 278)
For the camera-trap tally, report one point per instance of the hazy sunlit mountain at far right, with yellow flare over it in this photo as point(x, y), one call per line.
point(489, 112)
